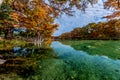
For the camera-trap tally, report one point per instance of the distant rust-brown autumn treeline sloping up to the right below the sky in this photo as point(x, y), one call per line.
point(101, 30)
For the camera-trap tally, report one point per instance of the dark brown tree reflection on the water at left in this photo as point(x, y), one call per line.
point(22, 61)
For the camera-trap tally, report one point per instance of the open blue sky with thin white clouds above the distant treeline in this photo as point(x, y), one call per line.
point(93, 14)
